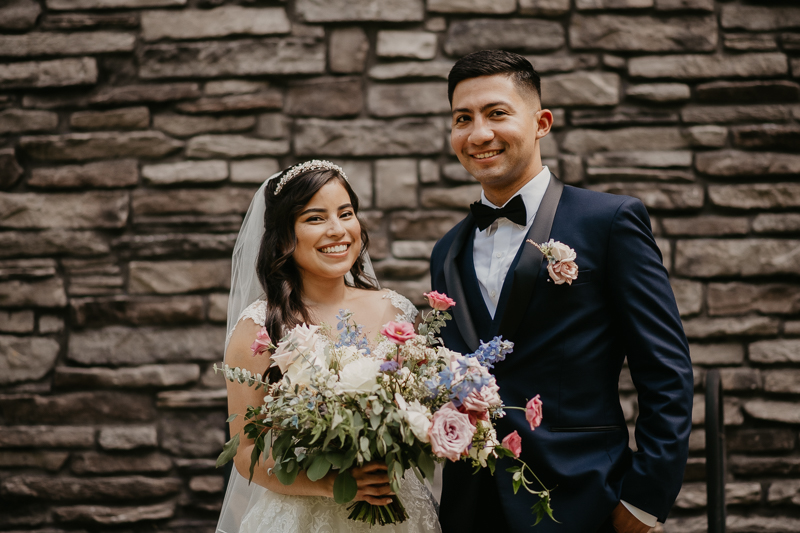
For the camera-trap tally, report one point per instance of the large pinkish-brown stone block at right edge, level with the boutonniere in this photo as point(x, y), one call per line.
point(726, 257)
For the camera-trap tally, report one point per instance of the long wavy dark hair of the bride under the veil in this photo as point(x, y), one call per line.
point(275, 267)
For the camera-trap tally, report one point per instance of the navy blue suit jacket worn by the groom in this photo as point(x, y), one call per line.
point(570, 343)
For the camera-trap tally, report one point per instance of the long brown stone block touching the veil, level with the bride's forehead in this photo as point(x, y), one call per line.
point(222, 201)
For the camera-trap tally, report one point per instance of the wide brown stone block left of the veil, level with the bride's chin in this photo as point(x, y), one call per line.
point(172, 277)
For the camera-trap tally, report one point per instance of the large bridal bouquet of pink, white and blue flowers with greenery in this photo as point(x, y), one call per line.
point(407, 402)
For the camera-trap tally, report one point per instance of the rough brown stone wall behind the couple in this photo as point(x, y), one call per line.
point(133, 134)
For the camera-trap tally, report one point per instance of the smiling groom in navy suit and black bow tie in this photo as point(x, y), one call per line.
point(570, 340)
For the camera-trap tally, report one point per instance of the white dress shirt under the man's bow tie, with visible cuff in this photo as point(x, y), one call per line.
point(495, 250)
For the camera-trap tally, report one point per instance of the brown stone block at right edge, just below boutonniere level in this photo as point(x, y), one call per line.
point(741, 298)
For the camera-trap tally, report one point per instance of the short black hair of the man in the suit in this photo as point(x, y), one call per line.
point(491, 62)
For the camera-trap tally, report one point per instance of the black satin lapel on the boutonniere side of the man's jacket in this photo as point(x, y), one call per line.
point(530, 262)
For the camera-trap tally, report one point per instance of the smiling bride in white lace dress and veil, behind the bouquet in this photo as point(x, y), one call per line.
point(301, 257)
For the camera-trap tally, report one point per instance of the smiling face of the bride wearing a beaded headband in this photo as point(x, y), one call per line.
point(328, 233)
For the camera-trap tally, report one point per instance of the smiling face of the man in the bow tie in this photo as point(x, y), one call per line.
point(494, 130)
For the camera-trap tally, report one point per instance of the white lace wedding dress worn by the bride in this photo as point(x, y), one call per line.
point(273, 512)
